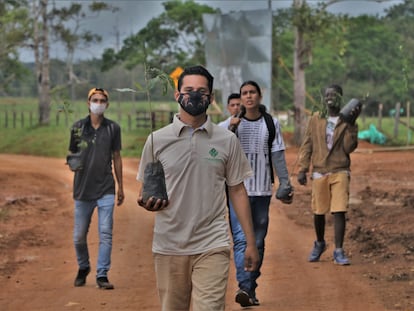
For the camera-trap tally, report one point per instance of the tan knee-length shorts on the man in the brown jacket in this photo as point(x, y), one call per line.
point(330, 193)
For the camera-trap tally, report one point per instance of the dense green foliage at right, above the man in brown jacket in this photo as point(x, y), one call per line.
point(368, 55)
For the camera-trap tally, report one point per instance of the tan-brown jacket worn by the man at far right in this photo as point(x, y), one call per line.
point(314, 150)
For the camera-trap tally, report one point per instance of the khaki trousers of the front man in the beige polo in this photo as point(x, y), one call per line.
point(200, 279)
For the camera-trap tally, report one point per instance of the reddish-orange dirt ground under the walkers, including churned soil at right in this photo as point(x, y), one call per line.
point(38, 265)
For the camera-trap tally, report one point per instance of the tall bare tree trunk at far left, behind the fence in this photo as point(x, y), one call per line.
point(43, 78)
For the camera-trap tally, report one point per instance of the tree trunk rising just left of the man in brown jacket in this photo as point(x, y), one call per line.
point(299, 87)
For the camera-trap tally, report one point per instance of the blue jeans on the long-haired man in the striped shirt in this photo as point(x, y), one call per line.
point(260, 217)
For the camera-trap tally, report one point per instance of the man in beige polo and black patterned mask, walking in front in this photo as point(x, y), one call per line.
point(191, 243)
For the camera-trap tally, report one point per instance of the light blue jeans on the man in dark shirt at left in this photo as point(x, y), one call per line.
point(83, 215)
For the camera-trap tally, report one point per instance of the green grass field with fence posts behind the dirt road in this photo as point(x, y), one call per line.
point(19, 135)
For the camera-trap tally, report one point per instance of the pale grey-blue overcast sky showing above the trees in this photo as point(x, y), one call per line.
point(135, 14)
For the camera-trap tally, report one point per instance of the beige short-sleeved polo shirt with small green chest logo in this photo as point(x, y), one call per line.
point(197, 163)
